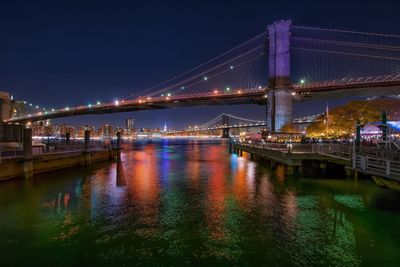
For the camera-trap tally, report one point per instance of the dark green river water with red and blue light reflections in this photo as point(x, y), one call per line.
point(189, 202)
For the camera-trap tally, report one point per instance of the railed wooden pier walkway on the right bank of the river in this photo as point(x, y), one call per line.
point(375, 161)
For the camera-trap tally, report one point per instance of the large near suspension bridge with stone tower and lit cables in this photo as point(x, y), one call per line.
point(284, 64)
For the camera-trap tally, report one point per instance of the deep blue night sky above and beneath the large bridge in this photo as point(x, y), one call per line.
point(59, 53)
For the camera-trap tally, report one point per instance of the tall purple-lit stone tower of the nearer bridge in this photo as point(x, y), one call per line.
point(279, 98)
